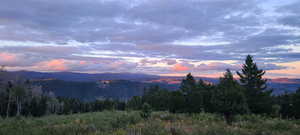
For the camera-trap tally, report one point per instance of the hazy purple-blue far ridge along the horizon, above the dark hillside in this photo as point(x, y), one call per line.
point(87, 77)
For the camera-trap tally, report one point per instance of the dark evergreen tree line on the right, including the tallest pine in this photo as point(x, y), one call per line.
point(248, 94)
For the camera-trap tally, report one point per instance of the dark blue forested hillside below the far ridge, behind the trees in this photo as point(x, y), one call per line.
point(116, 89)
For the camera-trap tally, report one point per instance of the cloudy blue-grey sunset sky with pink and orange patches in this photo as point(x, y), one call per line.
point(161, 37)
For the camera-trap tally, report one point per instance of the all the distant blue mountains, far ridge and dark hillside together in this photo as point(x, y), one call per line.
point(123, 85)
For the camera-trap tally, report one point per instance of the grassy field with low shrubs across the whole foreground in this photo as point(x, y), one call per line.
point(160, 123)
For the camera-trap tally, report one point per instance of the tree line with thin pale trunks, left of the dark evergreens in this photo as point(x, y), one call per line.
point(20, 97)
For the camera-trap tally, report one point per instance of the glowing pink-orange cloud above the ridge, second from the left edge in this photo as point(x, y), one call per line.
point(55, 65)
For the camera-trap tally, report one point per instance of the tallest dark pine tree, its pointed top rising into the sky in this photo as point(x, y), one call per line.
point(258, 95)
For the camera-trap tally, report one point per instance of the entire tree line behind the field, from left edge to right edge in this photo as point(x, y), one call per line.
point(248, 94)
